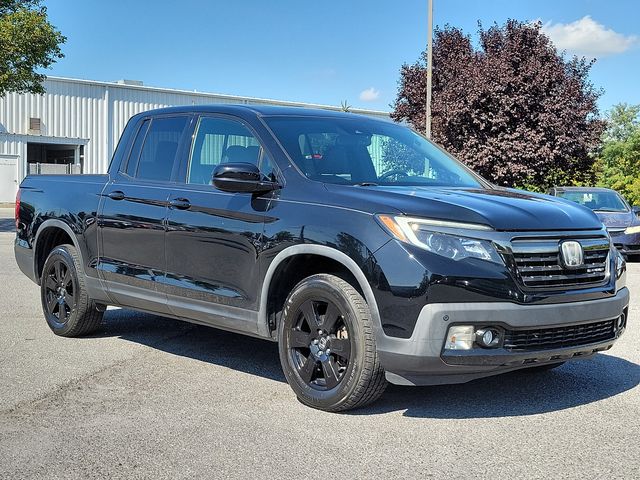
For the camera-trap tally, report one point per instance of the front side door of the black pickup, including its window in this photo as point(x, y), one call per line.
point(213, 237)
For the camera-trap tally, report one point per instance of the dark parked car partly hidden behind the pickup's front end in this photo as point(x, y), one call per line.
point(621, 220)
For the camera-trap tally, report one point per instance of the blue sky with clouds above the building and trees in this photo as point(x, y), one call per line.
point(319, 51)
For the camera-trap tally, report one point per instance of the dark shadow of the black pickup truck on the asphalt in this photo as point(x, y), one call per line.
point(511, 394)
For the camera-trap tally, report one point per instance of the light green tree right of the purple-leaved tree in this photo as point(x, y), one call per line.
point(618, 163)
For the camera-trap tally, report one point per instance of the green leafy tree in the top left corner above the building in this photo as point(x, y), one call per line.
point(28, 42)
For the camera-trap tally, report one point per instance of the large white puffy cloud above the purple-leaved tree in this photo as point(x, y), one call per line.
point(588, 37)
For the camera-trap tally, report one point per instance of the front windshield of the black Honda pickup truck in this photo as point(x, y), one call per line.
point(364, 151)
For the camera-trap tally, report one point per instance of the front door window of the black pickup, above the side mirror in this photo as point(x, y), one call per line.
point(219, 140)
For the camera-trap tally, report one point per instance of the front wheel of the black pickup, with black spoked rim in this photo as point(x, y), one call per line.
point(327, 345)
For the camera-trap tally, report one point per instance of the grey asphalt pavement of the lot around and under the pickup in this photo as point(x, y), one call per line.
point(149, 397)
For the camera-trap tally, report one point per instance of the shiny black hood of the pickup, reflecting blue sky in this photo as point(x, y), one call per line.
point(502, 209)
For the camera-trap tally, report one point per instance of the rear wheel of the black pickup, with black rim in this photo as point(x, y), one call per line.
point(67, 308)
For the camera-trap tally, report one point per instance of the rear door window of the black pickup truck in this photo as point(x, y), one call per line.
point(160, 148)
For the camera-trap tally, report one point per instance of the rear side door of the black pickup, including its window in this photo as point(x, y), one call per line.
point(133, 213)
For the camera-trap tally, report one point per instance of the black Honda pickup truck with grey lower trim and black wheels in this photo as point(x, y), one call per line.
point(368, 253)
